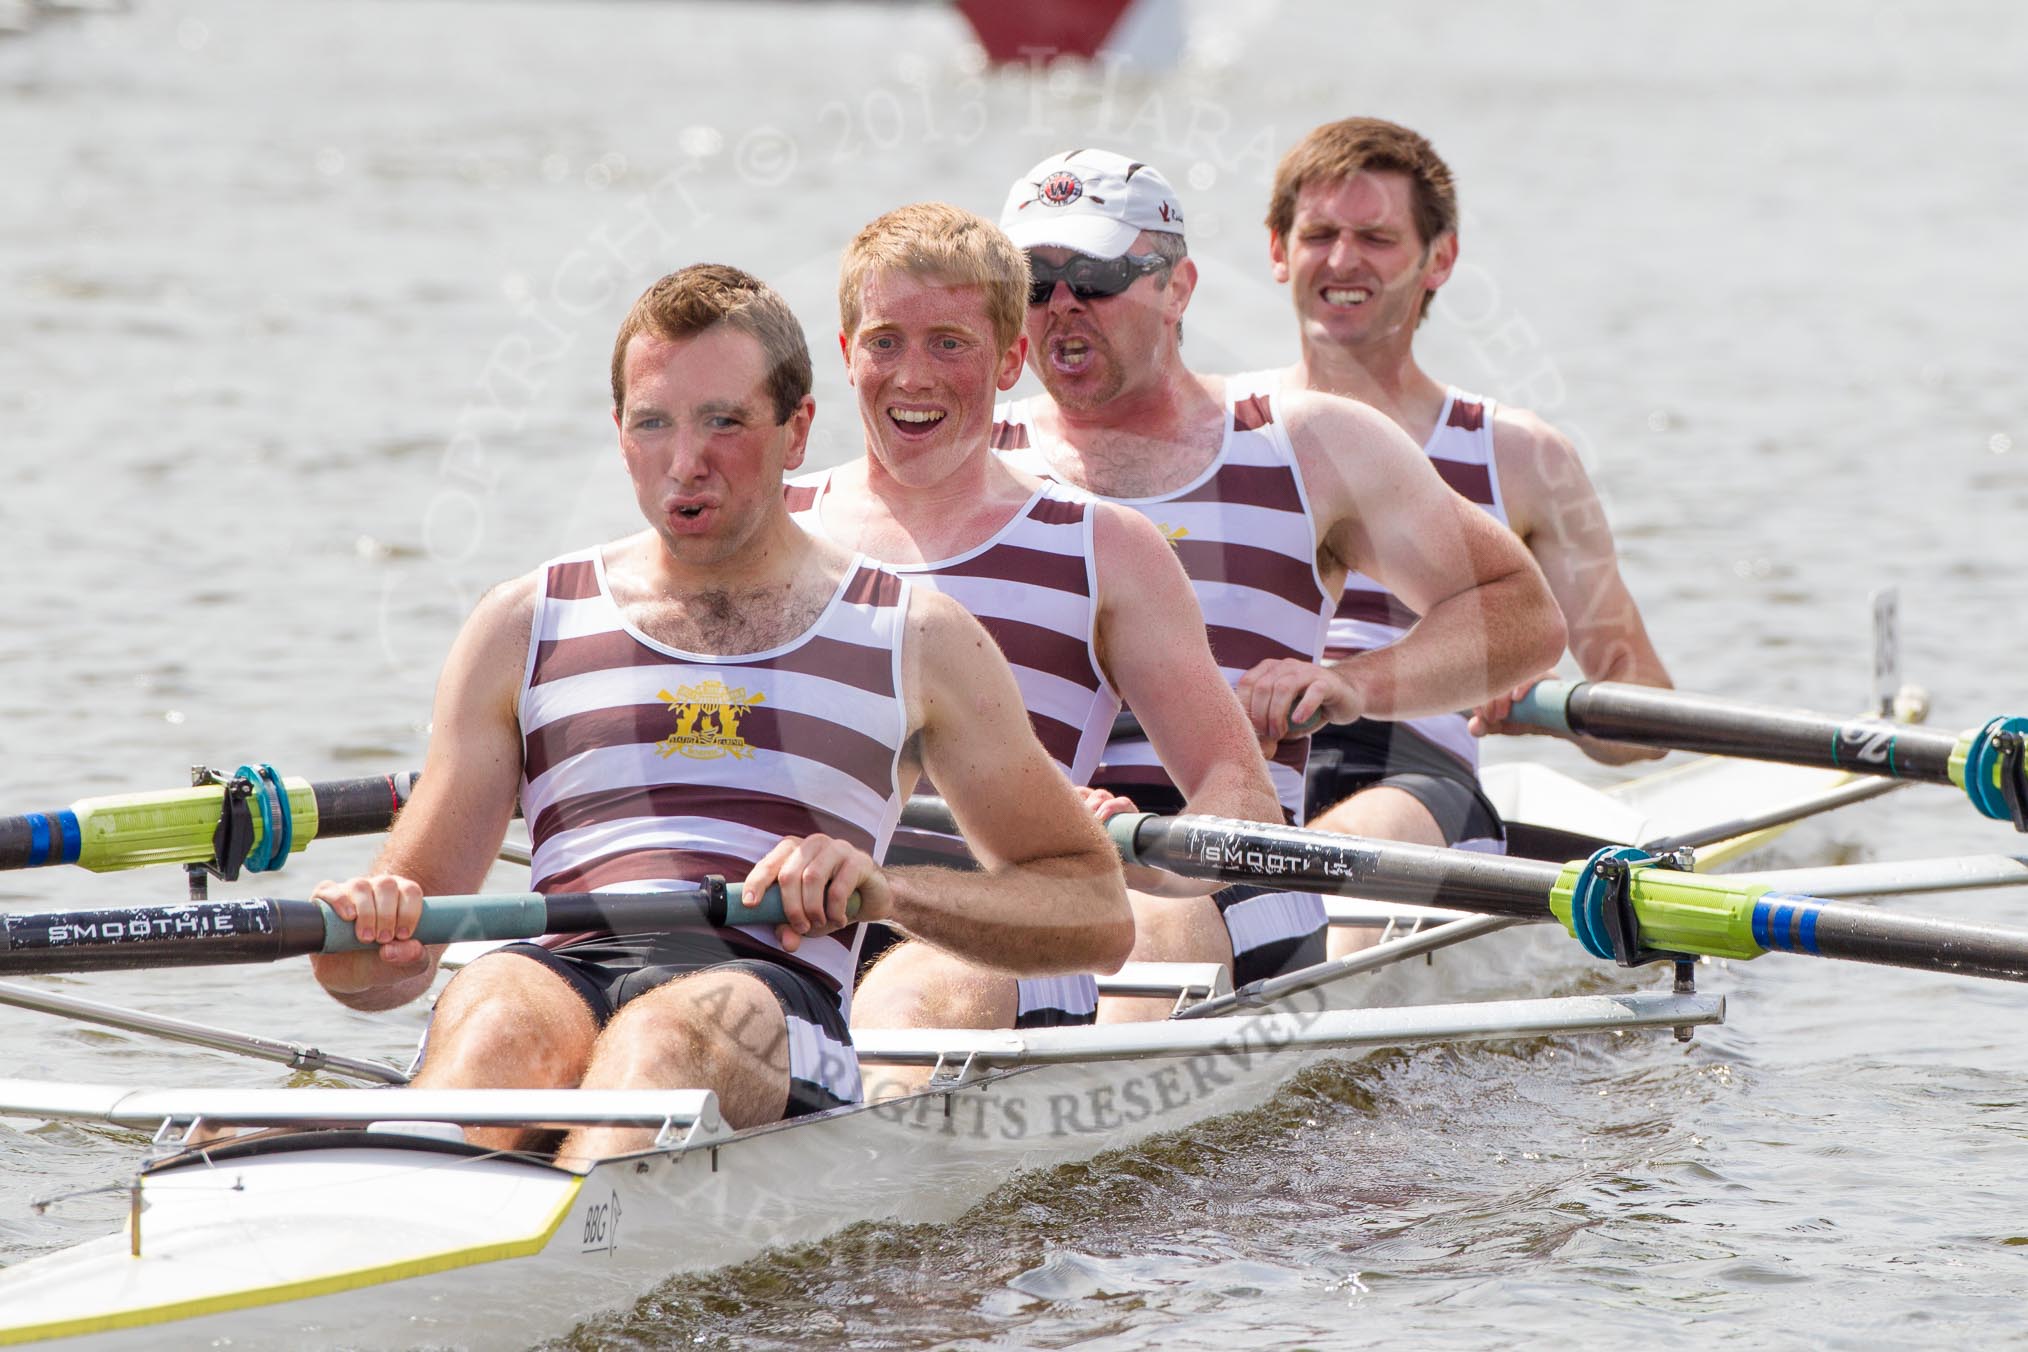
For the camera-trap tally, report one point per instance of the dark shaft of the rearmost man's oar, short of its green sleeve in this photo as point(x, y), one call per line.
point(1725, 729)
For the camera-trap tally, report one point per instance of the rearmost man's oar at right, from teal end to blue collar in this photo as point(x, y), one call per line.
point(1988, 763)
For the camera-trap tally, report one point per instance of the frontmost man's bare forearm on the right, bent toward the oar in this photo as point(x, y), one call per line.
point(1039, 919)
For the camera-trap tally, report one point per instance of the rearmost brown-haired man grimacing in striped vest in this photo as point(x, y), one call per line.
point(1364, 226)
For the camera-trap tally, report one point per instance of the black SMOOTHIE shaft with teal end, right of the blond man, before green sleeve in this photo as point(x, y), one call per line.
point(1350, 867)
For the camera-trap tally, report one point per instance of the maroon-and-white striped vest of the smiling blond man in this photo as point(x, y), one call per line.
point(1035, 589)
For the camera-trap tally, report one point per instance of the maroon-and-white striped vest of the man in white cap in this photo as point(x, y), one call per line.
point(1244, 534)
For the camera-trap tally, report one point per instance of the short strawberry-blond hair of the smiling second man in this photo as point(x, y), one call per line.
point(950, 244)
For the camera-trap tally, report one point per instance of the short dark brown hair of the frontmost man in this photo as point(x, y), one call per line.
point(705, 295)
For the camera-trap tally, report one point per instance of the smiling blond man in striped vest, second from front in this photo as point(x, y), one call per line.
point(1084, 599)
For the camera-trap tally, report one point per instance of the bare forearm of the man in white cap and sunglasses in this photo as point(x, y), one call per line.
point(1463, 652)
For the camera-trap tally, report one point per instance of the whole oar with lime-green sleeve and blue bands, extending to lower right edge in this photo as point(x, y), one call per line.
point(1617, 903)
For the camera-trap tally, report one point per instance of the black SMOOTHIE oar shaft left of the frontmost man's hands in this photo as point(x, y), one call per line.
point(184, 935)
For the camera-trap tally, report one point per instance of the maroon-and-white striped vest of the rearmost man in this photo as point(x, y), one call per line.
point(1370, 615)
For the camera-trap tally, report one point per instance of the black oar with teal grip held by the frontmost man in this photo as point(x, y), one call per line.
point(269, 929)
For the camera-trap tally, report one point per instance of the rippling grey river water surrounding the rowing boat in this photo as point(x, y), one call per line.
point(303, 329)
